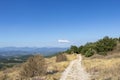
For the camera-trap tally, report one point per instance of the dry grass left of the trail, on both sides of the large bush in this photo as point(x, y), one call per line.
point(13, 73)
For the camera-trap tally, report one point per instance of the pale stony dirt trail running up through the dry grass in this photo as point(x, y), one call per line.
point(75, 71)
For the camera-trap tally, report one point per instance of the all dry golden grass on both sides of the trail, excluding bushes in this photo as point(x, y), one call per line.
point(100, 68)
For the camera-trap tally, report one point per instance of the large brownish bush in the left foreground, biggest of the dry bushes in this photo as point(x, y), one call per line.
point(35, 66)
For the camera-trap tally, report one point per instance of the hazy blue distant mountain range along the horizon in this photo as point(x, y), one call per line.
point(15, 51)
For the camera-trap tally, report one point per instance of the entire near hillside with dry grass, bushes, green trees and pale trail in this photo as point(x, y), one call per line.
point(100, 61)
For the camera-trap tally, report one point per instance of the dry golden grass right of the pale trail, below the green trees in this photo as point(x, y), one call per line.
point(103, 68)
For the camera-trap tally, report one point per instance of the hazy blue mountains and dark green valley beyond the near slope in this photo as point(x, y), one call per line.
point(10, 56)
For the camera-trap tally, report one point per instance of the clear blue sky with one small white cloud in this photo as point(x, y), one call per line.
point(57, 23)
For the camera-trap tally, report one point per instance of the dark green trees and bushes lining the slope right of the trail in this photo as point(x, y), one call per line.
point(100, 47)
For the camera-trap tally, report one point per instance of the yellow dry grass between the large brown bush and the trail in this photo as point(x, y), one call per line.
point(58, 66)
